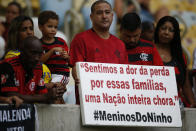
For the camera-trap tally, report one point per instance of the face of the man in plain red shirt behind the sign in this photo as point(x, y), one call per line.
point(102, 16)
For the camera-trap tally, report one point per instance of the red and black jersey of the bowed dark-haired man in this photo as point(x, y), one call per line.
point(145, 53)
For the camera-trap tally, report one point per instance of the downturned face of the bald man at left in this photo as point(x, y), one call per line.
point(31, 54)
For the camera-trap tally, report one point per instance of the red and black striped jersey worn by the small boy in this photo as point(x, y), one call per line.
point(56, 63)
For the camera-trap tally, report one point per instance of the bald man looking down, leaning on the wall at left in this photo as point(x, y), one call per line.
point(23, 75)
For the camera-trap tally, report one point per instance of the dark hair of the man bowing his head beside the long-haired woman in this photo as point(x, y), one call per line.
point(131, 22)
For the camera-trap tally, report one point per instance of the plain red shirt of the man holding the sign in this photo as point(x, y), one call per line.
point(89, 47)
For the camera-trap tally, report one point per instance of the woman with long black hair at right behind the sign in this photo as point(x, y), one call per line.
point(168, 43)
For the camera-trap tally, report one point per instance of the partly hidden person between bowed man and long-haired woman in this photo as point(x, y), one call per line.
point(147, 31)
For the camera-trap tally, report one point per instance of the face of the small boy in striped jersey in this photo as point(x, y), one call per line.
point(49, 29)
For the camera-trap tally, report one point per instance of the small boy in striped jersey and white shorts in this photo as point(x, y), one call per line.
point(55, 49)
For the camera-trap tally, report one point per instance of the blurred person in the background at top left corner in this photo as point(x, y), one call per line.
point(13, 10)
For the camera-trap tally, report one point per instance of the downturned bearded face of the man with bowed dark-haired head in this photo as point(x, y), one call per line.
point(130, 38)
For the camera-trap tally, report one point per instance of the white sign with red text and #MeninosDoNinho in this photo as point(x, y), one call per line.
point(128, 95)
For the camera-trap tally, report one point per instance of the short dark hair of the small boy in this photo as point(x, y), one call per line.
point(45, 16)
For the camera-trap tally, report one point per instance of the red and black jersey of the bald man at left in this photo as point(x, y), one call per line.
point(15, 79)
